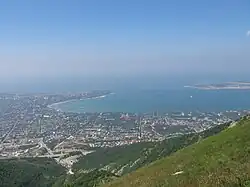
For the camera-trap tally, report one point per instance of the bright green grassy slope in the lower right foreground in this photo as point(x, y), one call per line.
point(220, 160)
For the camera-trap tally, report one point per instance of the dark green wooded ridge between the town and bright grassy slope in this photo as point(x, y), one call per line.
point(124, 159)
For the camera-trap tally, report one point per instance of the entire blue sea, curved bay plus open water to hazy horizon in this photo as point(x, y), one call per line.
point(145, 94)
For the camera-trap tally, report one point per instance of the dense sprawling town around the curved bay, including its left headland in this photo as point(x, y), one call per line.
point(31, 127)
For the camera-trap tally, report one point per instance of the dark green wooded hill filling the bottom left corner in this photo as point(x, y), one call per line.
point(35, 172)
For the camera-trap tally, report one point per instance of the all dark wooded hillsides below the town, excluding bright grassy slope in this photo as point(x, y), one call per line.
point(97, 168)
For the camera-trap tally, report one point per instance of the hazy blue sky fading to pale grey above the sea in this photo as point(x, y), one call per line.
point(59, 38)
